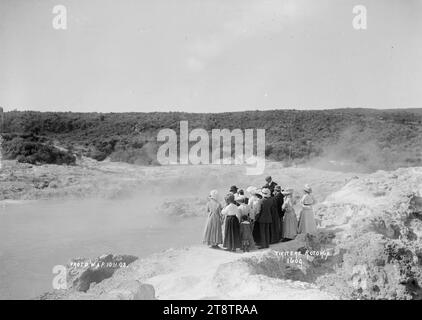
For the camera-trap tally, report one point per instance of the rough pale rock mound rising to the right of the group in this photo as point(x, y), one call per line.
point(378, 235)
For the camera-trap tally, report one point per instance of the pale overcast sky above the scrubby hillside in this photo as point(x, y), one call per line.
point(209, 55)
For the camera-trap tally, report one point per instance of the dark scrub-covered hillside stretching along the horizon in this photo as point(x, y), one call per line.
point(371, 139)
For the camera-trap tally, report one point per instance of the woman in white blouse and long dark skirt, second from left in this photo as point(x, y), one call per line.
point(232, 229)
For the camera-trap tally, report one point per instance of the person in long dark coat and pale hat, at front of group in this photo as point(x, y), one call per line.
point(262, 228)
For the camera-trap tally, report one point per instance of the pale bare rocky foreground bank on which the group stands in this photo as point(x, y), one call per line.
point(368, 247)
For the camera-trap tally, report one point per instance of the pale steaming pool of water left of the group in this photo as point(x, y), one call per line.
point(36, 236)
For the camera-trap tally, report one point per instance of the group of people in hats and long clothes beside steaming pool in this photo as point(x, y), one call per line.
point(261, 217)
